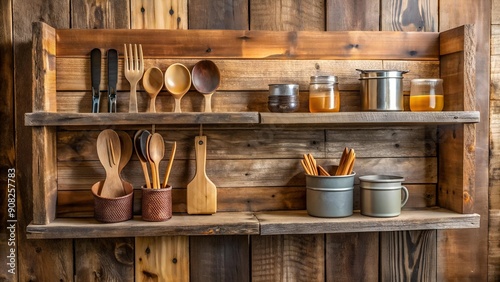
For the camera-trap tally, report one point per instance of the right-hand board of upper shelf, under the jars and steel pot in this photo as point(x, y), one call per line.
point(366, 118)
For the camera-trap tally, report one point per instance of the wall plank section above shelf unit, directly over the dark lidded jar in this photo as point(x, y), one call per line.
point(287, 15)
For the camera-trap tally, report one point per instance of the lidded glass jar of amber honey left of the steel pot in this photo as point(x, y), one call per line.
point(324, 95)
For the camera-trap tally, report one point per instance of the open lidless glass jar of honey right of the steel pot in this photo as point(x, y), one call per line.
point(426, 95)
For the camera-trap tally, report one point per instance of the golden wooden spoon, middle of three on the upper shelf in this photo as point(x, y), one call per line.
point(177, 82)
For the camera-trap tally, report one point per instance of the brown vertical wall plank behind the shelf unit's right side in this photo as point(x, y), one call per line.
point(451, 262)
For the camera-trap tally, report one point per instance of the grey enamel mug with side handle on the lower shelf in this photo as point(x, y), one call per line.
point(382, 195)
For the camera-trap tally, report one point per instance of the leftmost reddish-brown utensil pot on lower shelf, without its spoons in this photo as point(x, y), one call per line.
point(113, 209)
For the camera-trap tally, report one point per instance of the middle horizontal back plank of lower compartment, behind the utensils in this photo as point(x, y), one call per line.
point(248, 172)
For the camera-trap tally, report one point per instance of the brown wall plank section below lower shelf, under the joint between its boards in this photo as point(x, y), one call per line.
point(288, 258)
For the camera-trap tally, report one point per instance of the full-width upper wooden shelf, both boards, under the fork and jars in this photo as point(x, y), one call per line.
point(344, 118)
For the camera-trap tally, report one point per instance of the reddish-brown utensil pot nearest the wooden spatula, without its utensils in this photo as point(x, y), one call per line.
point(156, 204)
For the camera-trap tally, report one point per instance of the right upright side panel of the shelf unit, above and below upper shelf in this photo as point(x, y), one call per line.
point(457, 142)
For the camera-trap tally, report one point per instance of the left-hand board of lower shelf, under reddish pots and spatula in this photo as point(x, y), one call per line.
point(223, 223)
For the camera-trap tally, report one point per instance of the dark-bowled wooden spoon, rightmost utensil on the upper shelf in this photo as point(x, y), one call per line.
point(206, 79)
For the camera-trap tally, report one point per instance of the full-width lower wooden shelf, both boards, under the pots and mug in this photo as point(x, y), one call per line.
point(247, 223)
